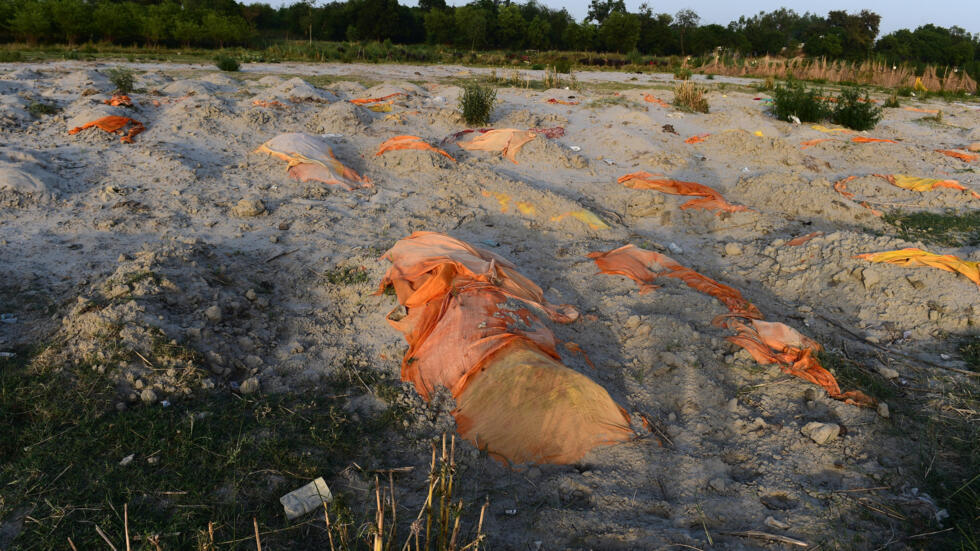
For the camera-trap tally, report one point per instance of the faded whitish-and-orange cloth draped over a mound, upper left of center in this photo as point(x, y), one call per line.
point(309, 158)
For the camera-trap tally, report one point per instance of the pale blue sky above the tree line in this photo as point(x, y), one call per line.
point(895, 14)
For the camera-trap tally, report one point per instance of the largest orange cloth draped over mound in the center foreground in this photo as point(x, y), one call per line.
point(514, 398)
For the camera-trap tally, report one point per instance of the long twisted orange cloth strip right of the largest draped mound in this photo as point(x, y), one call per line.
point(767, 342)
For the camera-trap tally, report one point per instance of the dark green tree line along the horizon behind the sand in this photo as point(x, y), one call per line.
point(481, 24)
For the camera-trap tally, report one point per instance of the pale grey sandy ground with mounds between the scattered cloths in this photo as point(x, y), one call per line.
point(84, 219)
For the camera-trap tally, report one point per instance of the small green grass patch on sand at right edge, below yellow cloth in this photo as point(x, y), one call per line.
point(950, 229)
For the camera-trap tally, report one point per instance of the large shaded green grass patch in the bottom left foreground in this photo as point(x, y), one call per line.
point(201, 468)
